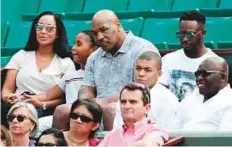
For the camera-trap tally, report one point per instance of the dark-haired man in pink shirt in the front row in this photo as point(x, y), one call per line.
point(137, 130)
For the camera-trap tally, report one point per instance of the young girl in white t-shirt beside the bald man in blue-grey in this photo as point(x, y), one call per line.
point(69, 85)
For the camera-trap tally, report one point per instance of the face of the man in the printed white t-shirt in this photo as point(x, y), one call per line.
point(195, 47)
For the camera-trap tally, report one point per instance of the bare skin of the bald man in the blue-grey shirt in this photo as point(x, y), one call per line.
point(110, 36)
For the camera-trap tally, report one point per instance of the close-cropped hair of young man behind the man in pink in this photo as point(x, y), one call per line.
point(151, 55)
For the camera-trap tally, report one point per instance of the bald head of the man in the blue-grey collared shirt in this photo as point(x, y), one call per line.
point(108, 30)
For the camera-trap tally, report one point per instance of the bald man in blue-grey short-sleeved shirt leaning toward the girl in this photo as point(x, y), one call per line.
point(111, 67)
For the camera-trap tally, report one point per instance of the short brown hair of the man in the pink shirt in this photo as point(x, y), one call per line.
point(138, 86)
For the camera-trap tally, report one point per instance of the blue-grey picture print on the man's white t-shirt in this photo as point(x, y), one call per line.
point(182, 83)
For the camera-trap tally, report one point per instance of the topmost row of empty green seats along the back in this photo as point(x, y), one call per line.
point(28, 9)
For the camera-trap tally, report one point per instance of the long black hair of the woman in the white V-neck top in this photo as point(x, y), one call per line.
point(60, 46)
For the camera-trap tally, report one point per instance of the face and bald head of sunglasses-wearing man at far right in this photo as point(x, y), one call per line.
point(211, 84)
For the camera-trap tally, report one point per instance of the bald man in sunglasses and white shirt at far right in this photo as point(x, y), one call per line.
point(211, 110)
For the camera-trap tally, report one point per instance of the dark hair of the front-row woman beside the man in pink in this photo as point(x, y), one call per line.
point(93, 107)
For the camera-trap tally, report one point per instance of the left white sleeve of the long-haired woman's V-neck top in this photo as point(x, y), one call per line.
point(16, 60)
